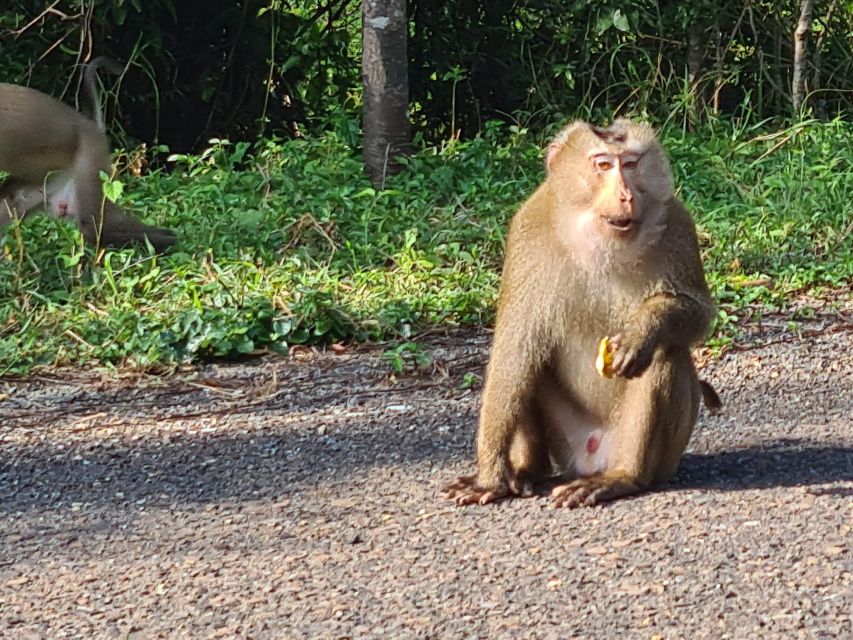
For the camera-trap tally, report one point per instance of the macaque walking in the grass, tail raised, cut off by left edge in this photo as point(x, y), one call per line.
point(53, 156)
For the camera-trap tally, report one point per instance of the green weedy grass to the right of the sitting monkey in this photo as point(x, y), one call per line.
point(775, 205)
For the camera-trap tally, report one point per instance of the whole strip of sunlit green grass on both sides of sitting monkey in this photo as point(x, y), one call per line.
point(286, 243)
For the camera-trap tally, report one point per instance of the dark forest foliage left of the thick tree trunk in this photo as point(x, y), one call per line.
point(195, 68)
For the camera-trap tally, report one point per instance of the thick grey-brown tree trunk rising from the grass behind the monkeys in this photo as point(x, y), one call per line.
point(385, 79)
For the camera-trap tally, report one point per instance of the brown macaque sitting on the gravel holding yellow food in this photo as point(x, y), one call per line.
point(603, 248)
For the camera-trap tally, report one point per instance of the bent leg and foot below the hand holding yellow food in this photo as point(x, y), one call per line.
point(651, 426)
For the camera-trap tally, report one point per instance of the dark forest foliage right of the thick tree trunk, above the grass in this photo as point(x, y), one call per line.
point(541, 60)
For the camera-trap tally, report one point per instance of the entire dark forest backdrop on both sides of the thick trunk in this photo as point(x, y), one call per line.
point(260, 67)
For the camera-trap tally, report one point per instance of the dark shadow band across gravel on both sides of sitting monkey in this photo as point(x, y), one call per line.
point(282, 461)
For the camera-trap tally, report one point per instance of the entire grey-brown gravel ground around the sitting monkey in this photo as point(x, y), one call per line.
point(300, 499)
